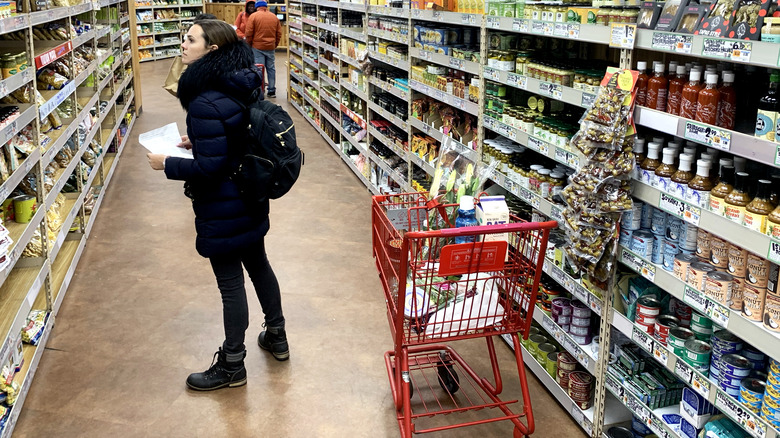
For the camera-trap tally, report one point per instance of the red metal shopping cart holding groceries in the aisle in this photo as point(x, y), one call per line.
point(438, 290)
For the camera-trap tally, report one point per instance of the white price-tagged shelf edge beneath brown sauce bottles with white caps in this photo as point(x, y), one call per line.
point(753, 241)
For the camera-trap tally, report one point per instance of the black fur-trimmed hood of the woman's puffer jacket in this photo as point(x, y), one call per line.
point(230, 69)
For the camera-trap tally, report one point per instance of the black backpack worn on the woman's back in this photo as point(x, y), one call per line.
point(272, 160)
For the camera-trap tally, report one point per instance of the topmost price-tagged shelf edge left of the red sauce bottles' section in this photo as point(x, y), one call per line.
point(591, 33)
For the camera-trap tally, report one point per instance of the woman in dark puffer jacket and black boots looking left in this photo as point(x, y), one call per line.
point(220, 73)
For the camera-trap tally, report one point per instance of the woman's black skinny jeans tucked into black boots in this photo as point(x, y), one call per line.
point(230, 280)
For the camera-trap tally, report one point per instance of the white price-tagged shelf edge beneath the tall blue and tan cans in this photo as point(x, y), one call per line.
point(721, 315)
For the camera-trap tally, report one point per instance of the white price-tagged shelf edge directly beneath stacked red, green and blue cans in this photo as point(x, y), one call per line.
point(694, 379)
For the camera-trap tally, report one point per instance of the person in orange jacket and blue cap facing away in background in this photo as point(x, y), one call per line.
point(264, 31)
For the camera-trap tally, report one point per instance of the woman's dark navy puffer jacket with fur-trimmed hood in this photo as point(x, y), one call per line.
point(208, 91)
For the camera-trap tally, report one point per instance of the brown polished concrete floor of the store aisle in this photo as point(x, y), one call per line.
point(143, 312)
